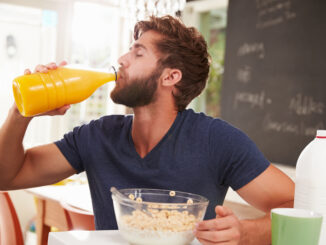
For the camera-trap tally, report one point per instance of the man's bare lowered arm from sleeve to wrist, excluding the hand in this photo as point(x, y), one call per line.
point(271, 189)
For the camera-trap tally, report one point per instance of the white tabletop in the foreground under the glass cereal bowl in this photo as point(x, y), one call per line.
point(106, 237)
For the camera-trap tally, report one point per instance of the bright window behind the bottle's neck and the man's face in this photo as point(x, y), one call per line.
point(95, 44)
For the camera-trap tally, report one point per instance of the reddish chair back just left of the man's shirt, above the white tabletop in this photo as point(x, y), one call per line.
point(78, 219)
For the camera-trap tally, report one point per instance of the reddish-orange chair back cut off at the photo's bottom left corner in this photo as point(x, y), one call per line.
point(10, 231)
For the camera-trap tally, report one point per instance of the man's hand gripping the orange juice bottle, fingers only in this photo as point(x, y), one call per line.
point(44, 69)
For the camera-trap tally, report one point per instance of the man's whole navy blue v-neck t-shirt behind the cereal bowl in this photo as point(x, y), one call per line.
point(198, 154)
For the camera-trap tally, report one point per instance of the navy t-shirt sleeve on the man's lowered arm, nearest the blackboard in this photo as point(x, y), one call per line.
point(238, 159)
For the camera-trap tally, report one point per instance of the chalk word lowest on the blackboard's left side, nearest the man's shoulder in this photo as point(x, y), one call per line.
point(255, 100)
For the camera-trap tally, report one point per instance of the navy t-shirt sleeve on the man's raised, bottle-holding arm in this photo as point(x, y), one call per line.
point(71, 146)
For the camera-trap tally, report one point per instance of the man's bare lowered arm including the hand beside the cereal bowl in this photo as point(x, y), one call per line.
point(269, 190)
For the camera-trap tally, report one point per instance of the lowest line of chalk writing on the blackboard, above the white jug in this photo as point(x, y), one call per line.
point(300, 128)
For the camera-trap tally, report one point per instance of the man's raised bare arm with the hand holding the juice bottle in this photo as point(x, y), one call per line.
point(37, 166)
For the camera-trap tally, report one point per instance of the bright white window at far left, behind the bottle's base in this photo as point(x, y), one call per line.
point(27, 37)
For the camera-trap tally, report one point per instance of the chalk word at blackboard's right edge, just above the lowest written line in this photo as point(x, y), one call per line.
point(306, 105)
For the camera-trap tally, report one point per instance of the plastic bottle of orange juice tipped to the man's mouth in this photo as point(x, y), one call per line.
point(41, 92)
